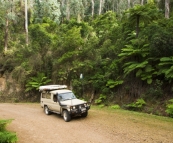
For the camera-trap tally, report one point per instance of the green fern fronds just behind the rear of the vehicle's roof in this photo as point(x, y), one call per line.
point(36, 82)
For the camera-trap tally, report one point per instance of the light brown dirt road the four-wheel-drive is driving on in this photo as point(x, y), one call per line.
point(33, 126)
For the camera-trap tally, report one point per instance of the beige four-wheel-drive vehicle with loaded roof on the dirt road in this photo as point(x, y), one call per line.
point(58, 99)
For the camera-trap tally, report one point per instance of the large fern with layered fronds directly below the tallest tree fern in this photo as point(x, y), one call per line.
point(137, 59)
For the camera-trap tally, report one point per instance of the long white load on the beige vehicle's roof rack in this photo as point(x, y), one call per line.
point(51, 87)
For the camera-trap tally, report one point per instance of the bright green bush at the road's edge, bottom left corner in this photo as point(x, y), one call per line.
point(6, 136)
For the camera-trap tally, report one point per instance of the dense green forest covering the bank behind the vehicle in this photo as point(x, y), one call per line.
point(112, 52)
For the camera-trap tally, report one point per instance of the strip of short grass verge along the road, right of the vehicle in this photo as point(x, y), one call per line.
point(142, 119)
